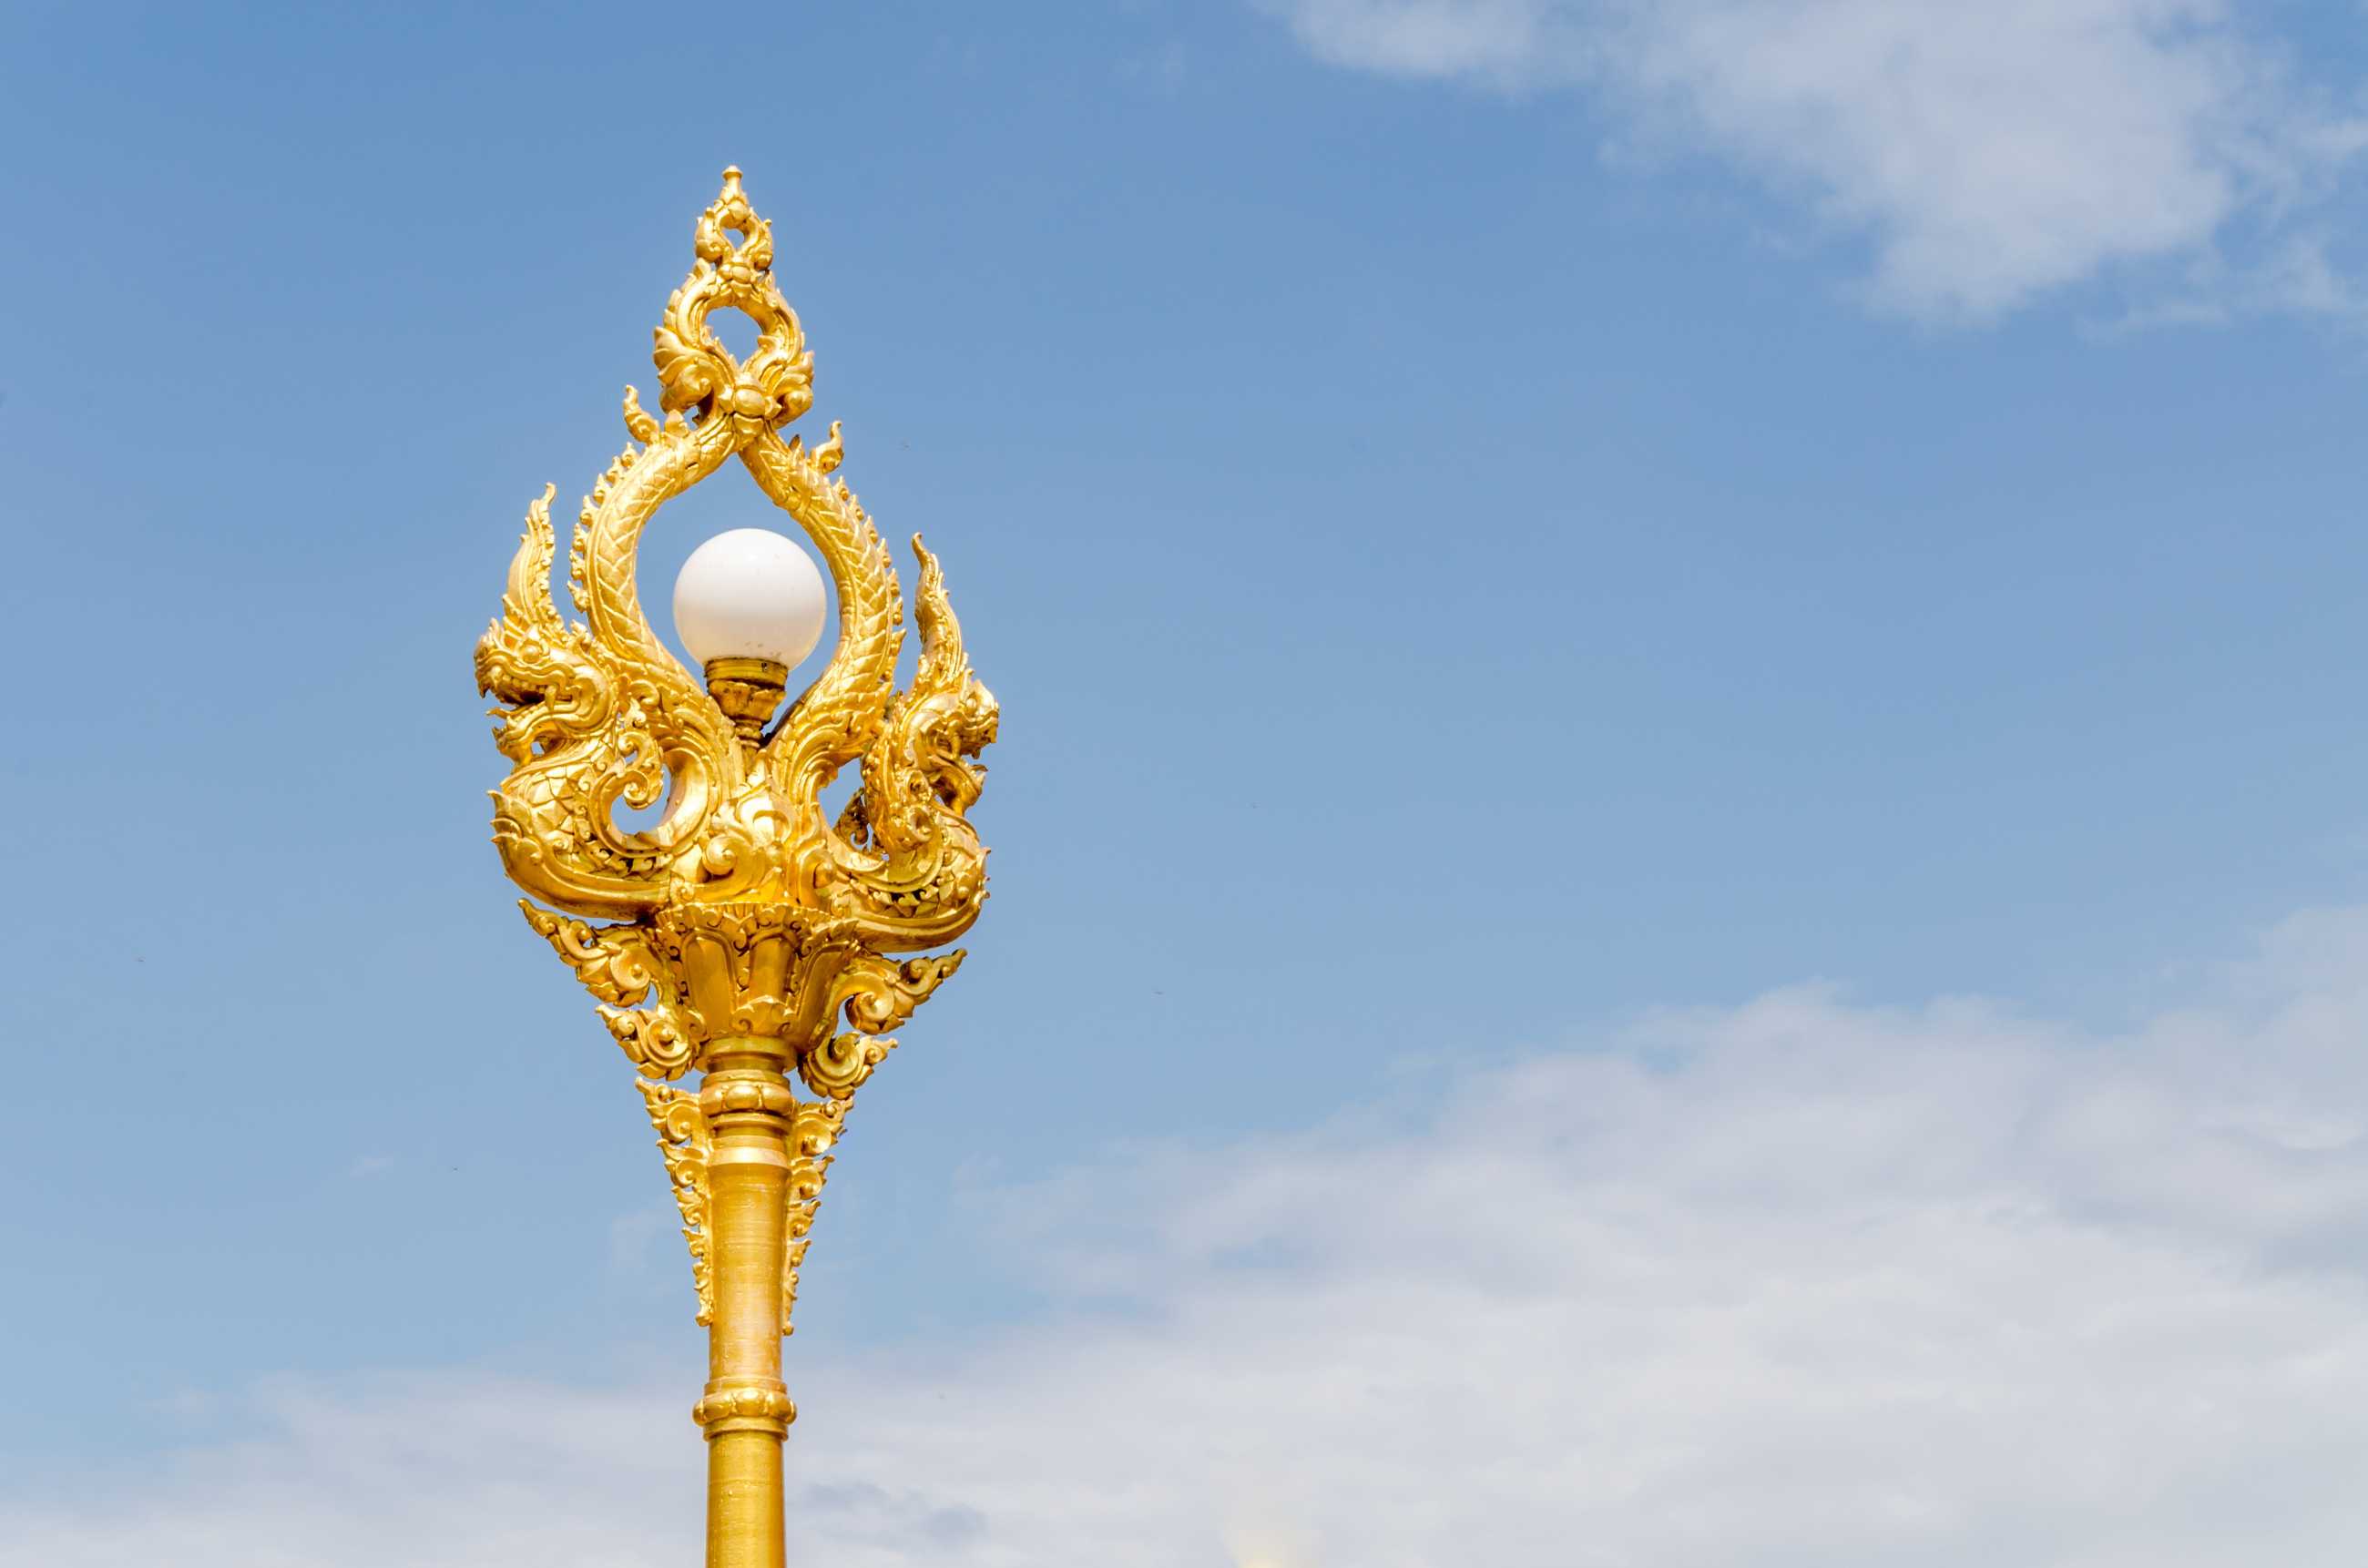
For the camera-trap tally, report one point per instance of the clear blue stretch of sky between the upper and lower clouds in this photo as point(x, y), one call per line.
point(1441, 589)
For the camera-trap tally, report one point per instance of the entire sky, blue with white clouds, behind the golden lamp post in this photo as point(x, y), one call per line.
point(1798, 553)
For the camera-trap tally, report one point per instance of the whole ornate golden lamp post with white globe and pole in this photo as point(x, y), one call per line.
point(745, 925)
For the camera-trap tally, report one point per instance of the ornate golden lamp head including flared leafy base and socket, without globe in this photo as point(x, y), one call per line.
point(745, 911)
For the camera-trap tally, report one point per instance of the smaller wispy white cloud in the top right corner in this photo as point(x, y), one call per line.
point(1988, 153)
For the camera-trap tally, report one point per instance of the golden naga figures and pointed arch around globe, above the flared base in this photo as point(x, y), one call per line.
point(600, 716)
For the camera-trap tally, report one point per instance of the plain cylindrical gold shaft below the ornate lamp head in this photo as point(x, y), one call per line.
point(747, 1410)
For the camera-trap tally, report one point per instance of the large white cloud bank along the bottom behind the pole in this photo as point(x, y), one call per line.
point(1796, 1283)
